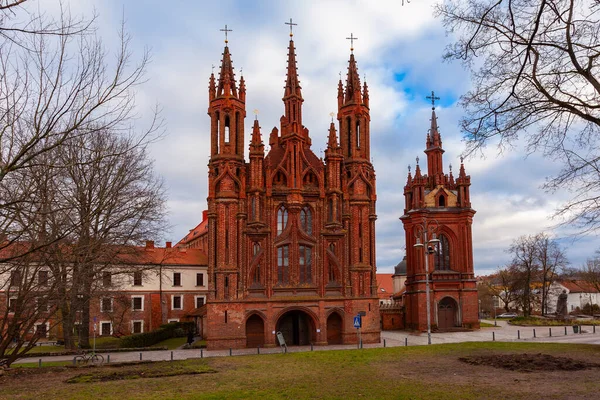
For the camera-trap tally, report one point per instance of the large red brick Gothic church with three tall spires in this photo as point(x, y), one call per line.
point(291, 237)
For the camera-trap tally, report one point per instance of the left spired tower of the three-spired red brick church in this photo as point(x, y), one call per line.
point(227, 191)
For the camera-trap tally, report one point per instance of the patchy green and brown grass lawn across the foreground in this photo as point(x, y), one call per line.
point(419, 372)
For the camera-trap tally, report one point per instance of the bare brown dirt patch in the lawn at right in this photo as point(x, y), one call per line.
point(529, 362)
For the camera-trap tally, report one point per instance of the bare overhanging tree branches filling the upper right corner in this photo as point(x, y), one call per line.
point(535, 69)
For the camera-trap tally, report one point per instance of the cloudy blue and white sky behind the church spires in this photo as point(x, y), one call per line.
point(399, 49)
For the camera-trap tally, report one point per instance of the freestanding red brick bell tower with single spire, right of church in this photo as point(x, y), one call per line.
point(441, 204)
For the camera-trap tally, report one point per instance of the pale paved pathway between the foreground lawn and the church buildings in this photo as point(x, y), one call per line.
point(504, 333)
